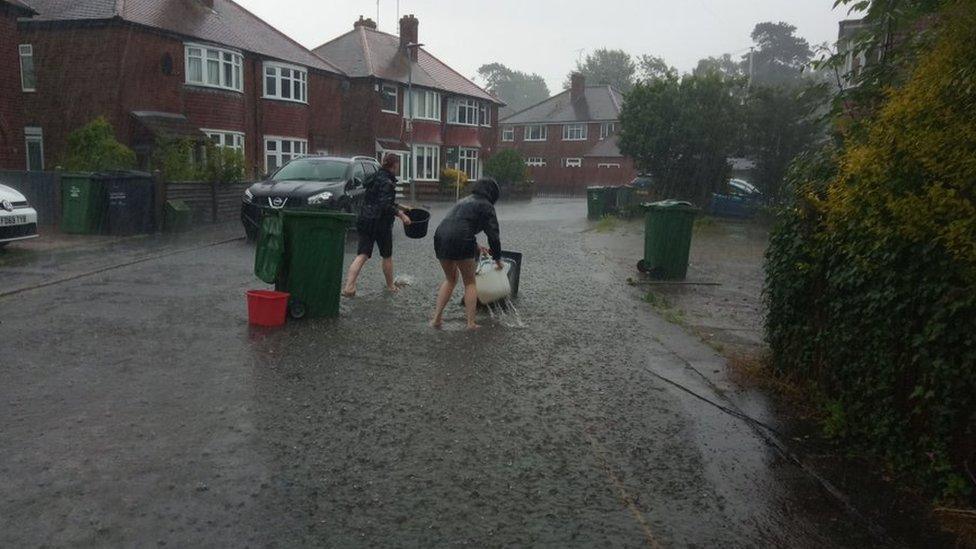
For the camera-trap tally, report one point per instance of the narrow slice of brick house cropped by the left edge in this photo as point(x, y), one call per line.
point(14, 146)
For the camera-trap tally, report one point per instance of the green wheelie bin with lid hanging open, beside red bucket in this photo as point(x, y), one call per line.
point(311, 269)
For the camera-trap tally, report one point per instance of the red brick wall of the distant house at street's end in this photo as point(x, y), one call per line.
point(554, 177)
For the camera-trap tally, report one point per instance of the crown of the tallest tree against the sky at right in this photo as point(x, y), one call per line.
point(779, 57)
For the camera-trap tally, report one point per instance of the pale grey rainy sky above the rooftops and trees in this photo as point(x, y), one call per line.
point(544, 36)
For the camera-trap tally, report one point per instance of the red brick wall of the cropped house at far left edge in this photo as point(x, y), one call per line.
point(12, 154)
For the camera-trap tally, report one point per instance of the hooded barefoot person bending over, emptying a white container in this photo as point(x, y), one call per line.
point(457, 248)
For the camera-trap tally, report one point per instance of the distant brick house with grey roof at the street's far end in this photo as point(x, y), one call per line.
point(569, 140)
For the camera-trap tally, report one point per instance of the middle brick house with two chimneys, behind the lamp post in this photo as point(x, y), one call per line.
point(450, 121)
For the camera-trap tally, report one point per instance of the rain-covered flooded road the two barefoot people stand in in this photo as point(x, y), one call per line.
point(138, 408)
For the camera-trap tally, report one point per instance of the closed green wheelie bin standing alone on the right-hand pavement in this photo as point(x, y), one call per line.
point(668, 226)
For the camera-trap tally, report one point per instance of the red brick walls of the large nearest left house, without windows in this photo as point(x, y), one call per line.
point(85, 71)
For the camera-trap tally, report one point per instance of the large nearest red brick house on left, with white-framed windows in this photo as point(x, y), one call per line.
point(189, 68)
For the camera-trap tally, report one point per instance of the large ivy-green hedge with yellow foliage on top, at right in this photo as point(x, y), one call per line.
point(871, 274)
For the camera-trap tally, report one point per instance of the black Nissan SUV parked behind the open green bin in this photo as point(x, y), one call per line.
point(317, 182)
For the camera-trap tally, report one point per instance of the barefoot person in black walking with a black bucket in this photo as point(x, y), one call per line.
point(375, 223)
